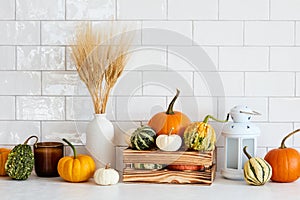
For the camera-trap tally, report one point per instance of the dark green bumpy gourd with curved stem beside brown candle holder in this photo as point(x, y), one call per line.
point(20, 161)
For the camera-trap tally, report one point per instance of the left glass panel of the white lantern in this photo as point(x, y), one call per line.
point(232, 153)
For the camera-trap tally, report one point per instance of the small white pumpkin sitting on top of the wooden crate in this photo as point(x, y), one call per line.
point(169, 142)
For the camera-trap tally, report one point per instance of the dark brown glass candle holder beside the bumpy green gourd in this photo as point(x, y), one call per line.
point(46, 157)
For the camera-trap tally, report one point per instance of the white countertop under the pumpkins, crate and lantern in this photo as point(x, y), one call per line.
point(55, 188)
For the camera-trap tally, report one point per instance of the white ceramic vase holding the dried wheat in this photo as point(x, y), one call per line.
point(99, 140)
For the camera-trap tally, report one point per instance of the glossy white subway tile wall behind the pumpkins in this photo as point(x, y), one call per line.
point(220, 53)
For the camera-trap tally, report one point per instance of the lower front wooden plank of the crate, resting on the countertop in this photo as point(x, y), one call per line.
point(167, 176)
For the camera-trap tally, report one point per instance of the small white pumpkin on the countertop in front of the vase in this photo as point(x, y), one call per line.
point(106, 176)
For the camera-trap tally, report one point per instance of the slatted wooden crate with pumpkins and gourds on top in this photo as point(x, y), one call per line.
point(208, 159)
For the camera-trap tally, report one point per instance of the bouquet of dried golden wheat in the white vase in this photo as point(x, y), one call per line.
point(100, 56)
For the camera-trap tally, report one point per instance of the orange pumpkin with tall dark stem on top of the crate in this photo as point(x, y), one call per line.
point(162, 122)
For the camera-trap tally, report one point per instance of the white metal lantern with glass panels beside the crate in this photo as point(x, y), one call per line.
point(239, 133)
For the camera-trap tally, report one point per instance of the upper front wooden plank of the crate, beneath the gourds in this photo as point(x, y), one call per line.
point(176, 158)
